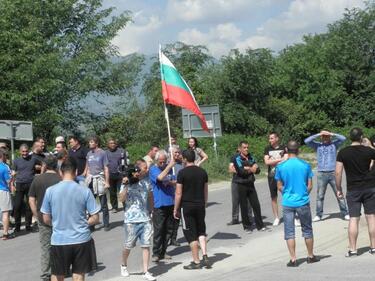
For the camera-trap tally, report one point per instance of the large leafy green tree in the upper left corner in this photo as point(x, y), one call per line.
point(53, 54)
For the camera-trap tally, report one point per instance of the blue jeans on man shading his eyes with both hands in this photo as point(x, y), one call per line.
point(325, 178)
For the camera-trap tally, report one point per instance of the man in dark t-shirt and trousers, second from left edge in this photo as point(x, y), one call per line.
point(23, 172)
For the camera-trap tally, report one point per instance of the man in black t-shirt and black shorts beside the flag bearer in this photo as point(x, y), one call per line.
point(191, 194)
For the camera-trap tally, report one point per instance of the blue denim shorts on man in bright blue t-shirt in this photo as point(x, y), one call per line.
point(304, 215)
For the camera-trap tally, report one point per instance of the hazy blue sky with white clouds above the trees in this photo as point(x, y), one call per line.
point(222, 25)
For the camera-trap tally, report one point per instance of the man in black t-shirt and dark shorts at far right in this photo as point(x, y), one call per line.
point(356, 160)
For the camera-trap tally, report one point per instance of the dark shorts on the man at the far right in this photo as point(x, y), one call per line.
point(357, 198)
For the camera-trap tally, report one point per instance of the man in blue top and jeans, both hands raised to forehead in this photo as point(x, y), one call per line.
point(326, 150)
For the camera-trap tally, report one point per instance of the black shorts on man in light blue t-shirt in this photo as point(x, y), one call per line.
point(82, 258)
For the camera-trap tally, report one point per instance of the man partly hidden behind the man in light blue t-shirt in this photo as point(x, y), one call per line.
point(36, 194)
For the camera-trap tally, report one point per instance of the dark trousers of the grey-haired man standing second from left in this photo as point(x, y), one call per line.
point(22, 193)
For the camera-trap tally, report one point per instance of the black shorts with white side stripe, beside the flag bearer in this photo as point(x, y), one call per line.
point(193, 224)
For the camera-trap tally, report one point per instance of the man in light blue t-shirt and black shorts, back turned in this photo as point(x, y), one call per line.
point(65, 207)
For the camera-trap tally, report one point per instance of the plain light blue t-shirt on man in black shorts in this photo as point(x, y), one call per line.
point(67, 203)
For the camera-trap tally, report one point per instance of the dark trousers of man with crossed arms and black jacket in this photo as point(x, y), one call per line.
point(247, 193)
